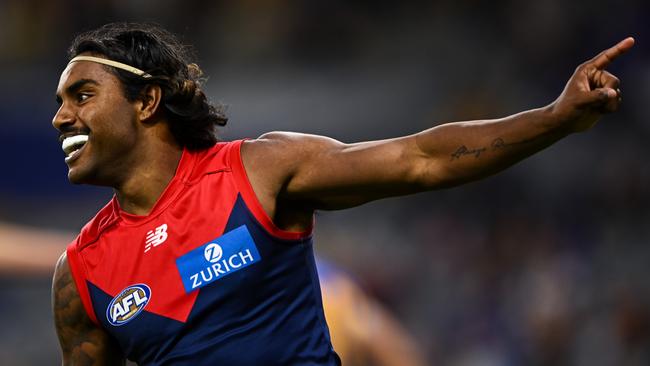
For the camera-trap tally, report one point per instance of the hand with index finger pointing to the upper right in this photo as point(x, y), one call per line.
point(591, 91)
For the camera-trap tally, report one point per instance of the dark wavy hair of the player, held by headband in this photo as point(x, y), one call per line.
point(193, 120)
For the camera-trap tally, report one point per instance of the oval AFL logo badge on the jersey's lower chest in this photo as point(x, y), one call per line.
point(128, 304)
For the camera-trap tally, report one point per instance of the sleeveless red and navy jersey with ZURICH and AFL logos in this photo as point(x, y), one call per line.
point(205, 278)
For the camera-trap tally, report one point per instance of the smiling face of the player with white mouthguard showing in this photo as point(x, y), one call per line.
point(98, 126)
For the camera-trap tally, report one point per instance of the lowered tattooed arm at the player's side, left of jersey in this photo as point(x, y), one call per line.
point(81, 341)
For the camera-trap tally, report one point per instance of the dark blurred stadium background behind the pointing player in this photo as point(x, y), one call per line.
point(547, 263)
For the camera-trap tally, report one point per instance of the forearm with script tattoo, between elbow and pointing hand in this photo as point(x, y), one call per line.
point(459, 152)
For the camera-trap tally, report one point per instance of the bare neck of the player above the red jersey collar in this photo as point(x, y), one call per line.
point(138, 194)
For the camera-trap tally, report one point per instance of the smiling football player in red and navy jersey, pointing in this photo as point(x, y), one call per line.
point(204, 255)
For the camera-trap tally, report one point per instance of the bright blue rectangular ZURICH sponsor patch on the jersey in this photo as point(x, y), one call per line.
point(218, 258)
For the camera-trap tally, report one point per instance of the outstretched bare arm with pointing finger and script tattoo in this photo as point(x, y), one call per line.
point(291, 172)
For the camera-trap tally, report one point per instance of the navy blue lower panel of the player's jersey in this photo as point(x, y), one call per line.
point(269, 313)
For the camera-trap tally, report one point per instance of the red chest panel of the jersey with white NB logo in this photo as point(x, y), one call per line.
point(133, 249)
